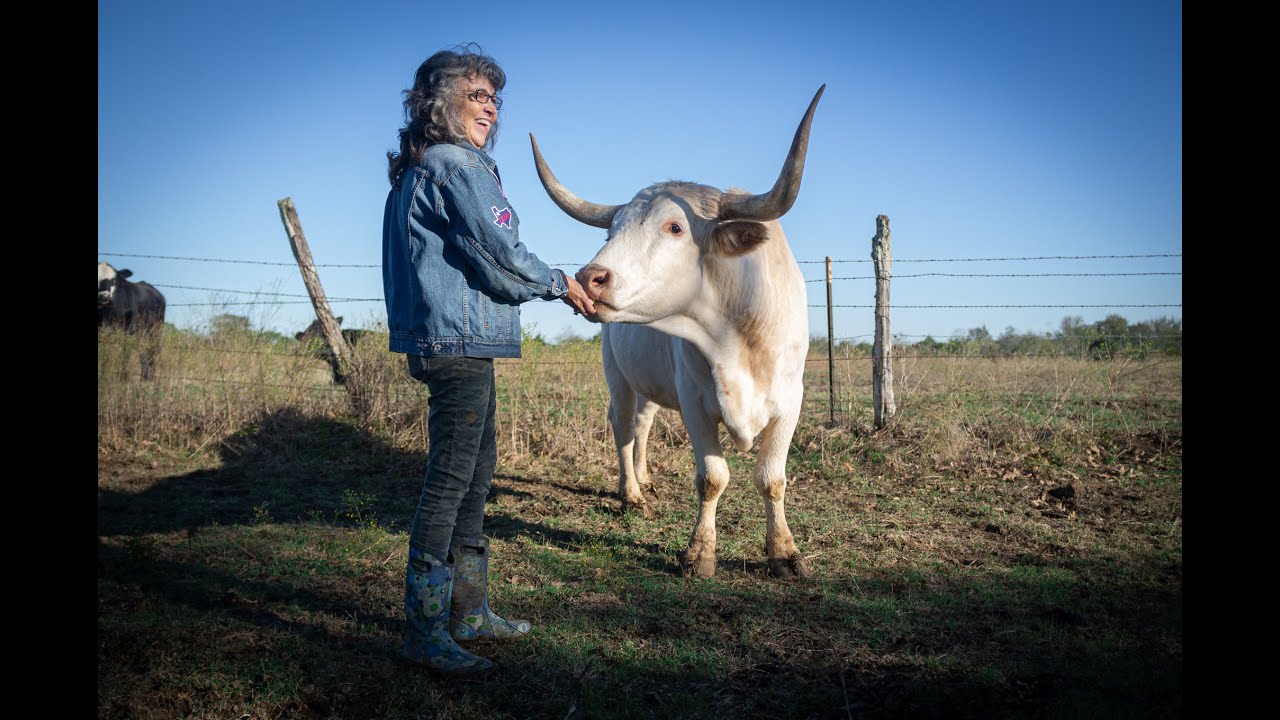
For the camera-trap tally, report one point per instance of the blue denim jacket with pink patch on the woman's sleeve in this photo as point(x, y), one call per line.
point(454, 268)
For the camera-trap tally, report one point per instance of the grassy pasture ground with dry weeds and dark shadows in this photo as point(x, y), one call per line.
point(1009, 548)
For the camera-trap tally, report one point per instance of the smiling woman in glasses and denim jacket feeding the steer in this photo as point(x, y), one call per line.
point(455, 275)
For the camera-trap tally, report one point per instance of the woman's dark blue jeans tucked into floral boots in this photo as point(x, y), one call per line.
point(463, 452)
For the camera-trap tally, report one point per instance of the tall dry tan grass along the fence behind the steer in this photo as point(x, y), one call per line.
point(552, 402)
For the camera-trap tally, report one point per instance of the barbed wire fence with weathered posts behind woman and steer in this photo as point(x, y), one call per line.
point(884, 357)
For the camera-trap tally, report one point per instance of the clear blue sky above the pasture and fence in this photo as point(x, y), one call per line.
point(982, 130)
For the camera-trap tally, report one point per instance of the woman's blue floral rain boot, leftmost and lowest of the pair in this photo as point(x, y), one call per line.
point(428, 590)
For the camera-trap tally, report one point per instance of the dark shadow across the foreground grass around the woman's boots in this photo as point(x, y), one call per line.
point(268, 587)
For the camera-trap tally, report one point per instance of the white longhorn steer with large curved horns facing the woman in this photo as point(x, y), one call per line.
point(716, 327)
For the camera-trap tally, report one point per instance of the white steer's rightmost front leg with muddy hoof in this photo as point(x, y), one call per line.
point(771, 481)
